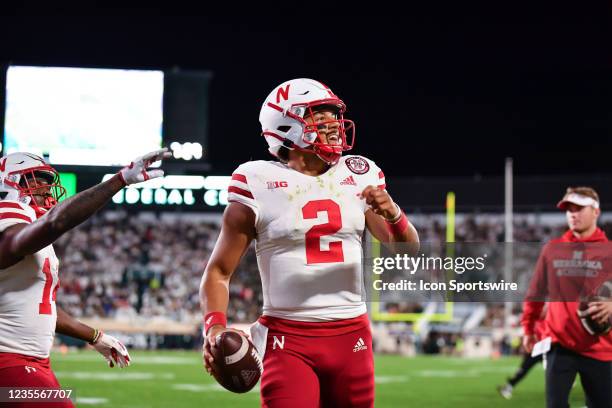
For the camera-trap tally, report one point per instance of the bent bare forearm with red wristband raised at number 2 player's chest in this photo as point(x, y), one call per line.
point(386, 221)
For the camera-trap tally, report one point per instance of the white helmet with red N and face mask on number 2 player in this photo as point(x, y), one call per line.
point(284, 119)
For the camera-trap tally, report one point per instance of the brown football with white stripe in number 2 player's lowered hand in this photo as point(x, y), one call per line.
point(237, 365)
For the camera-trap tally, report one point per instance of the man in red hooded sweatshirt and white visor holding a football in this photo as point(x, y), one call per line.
point(569, 269)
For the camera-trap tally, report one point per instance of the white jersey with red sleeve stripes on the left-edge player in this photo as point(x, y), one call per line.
point(27, 293)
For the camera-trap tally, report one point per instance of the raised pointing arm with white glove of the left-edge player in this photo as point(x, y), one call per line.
point(26, 239)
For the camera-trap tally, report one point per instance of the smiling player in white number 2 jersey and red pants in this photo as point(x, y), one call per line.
point(307, 213)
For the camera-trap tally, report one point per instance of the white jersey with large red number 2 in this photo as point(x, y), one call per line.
point(309, 235)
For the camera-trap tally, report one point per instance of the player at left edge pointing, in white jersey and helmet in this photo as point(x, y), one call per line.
point(31, 219)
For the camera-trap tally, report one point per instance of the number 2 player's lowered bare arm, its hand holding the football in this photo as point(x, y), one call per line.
point(237, 232)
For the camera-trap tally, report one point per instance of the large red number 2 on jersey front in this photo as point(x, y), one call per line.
point(314, 253)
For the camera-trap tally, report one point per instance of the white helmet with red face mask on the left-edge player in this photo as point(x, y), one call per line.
point(26, 177)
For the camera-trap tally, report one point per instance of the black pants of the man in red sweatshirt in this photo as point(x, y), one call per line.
point(562, 365)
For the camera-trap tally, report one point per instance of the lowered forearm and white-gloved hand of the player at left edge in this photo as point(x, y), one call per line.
point(111, 349)
